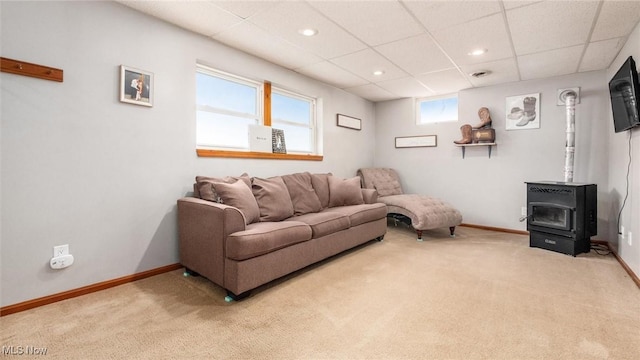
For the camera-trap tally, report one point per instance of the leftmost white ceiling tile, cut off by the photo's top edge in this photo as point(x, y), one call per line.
point(198, 16)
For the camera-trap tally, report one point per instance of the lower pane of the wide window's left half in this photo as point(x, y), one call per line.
point(220, 130)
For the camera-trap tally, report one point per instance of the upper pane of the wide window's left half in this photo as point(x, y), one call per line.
point(225, 94)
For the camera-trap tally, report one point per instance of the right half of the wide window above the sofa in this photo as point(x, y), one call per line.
point(295, 114)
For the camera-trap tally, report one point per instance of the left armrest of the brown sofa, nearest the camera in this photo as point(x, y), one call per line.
point(203, 227)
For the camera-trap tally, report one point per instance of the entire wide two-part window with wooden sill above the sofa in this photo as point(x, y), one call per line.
point(227, 104)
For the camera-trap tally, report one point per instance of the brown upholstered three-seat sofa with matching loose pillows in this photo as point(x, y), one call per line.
point(242, 232)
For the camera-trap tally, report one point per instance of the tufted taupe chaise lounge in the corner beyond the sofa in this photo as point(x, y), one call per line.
point(422, 212)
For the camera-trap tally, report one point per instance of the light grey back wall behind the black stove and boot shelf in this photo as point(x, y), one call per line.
point(491, 191)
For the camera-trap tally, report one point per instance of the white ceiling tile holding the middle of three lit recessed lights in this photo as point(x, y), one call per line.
point(364, 63)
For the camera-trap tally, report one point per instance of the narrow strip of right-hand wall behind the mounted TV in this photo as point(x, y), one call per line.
point(618, 164)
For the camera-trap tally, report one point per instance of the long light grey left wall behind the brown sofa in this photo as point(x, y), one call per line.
point(81, 168)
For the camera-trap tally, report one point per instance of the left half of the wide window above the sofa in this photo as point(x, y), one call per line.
point(225, 106)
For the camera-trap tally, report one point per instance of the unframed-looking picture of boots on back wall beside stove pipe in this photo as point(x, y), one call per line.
point(523, 112)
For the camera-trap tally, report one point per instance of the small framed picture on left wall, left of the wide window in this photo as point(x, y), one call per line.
point(136, 86)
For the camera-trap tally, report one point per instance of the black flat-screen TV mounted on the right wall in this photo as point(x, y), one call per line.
point(624, 89)
